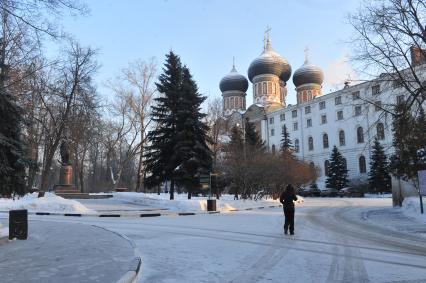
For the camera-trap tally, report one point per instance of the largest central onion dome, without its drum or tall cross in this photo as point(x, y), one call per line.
point(270, 62)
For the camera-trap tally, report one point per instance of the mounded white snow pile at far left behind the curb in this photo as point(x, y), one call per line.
point(49, 203)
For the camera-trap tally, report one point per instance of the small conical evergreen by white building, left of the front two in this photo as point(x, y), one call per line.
point(337, 172)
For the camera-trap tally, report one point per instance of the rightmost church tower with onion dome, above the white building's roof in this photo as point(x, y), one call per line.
point(308, 80)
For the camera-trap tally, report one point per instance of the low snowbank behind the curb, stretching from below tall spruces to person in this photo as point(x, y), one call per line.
point(182, 203)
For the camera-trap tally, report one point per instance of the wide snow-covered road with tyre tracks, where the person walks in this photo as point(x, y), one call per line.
point(332, 244)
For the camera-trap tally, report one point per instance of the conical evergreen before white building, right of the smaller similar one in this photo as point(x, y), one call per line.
point(378, 177)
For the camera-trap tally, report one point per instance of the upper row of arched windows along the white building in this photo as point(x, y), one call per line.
point(342, 137)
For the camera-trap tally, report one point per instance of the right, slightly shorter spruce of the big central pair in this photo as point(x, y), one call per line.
point(191, 150)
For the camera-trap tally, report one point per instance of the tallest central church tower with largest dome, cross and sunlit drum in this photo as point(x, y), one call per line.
point(269, 74)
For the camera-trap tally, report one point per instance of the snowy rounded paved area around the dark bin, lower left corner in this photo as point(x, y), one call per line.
point(65, 252)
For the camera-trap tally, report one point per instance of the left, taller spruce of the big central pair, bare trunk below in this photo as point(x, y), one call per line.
point(162, 139)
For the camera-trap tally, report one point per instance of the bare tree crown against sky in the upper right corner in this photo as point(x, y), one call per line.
point(391, 39)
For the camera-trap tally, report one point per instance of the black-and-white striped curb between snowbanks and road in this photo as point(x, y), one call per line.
point(143, 215)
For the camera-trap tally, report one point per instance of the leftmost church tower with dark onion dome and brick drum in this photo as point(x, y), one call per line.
point(233, 87)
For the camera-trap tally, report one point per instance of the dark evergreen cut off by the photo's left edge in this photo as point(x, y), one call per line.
point(12, 157)
